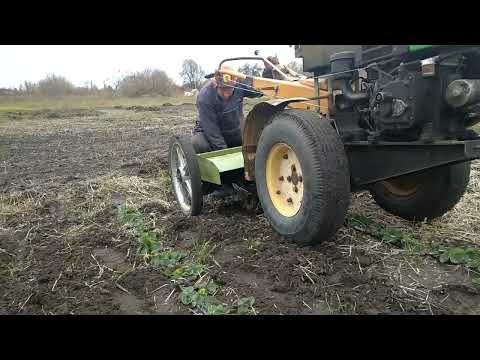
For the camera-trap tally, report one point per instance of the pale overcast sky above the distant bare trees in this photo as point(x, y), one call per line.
point(99, 63)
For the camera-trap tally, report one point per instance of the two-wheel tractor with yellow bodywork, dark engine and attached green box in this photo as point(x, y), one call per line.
point(408, 156)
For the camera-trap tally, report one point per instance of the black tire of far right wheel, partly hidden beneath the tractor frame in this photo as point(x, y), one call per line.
point(437, 191)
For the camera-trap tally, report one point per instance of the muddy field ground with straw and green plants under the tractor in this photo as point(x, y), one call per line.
point(67, 247)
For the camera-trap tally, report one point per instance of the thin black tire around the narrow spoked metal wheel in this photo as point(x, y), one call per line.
point(190, 157)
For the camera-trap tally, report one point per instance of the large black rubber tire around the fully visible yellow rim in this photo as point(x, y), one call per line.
point(325, 172)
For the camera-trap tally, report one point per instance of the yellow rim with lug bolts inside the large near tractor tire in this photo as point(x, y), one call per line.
point(284, 180)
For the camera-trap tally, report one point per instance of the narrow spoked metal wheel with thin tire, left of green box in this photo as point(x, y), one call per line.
point(185, 176)
